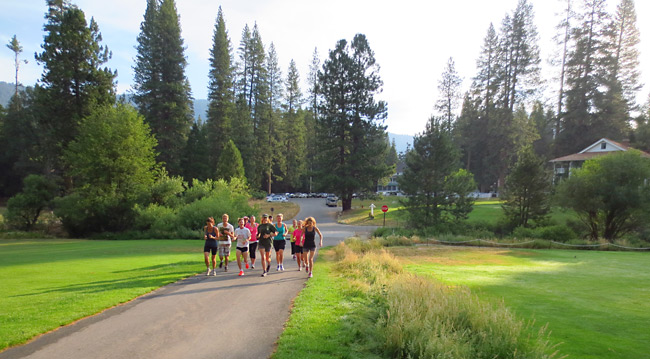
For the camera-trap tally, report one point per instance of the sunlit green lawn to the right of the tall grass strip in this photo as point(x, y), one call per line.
point(595, 303)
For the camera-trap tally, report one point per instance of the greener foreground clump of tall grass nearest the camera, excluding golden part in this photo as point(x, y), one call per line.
point(424, 319)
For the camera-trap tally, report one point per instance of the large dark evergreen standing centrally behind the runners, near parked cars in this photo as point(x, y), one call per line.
point(350, 119)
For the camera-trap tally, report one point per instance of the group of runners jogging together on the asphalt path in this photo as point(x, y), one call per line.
point(250, 237)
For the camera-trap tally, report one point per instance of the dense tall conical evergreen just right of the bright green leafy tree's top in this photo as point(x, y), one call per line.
point(162, 91)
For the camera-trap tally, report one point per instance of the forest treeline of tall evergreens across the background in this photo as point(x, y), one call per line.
point(263, 128)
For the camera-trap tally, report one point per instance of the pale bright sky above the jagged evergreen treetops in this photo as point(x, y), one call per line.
point(412, 39)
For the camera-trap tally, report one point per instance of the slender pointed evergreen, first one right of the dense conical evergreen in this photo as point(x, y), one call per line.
point(220, 90)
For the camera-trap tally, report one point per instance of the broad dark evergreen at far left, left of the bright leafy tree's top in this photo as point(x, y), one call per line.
point(73, 81)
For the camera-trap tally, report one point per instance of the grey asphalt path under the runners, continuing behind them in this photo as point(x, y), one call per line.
point(223, 316)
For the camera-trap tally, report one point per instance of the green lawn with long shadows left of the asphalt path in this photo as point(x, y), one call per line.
point(49, 283)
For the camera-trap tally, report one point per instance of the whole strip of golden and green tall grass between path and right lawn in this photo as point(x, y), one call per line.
point(417, 317)
